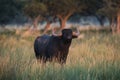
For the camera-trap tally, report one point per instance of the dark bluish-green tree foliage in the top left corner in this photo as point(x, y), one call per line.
point(9, 9)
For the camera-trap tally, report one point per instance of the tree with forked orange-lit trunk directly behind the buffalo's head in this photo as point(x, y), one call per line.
point(63, 9)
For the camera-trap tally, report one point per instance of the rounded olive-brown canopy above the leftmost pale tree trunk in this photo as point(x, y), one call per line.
point(34, 9)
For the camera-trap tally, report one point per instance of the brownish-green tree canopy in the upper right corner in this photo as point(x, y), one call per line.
point(110, 7)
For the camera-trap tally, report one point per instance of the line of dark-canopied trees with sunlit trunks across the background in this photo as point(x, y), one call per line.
point(50, 10)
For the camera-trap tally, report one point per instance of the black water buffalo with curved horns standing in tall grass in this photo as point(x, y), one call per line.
point(54, 47)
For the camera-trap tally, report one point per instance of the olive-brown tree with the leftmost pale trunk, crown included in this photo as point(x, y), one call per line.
point(35, 10)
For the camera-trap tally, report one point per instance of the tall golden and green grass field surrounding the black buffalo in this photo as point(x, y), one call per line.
point(95, 57)
